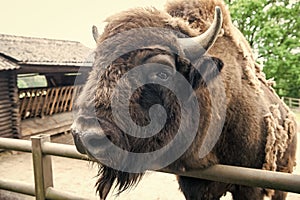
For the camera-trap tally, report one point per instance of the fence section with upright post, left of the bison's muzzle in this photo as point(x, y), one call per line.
point(41, 148)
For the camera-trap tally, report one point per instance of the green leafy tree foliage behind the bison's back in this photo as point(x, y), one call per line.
point(272, 28)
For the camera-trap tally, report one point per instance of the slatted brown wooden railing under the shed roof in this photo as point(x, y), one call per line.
point(39, 102)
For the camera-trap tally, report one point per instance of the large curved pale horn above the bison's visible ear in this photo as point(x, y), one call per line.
point(205, 40)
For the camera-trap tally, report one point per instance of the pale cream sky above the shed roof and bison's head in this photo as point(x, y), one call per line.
point(62, 19)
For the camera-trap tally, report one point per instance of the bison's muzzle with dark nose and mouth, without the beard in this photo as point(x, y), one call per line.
point(97, 138)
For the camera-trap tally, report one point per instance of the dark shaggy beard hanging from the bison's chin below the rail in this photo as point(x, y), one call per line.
point(123, 180)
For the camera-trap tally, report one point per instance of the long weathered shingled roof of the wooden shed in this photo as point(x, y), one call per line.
point(42, 51)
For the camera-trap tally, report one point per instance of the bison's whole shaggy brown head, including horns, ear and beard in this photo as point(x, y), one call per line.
point(140, 108)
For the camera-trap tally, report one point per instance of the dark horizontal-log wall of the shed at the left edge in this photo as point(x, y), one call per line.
point(9, 109)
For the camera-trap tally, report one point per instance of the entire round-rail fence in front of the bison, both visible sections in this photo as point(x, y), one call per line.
point(41, 149)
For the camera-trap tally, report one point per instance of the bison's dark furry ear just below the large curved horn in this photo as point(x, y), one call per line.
point(203, 71)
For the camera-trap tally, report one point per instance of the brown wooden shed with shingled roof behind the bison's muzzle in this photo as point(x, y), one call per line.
point(40, 78)
